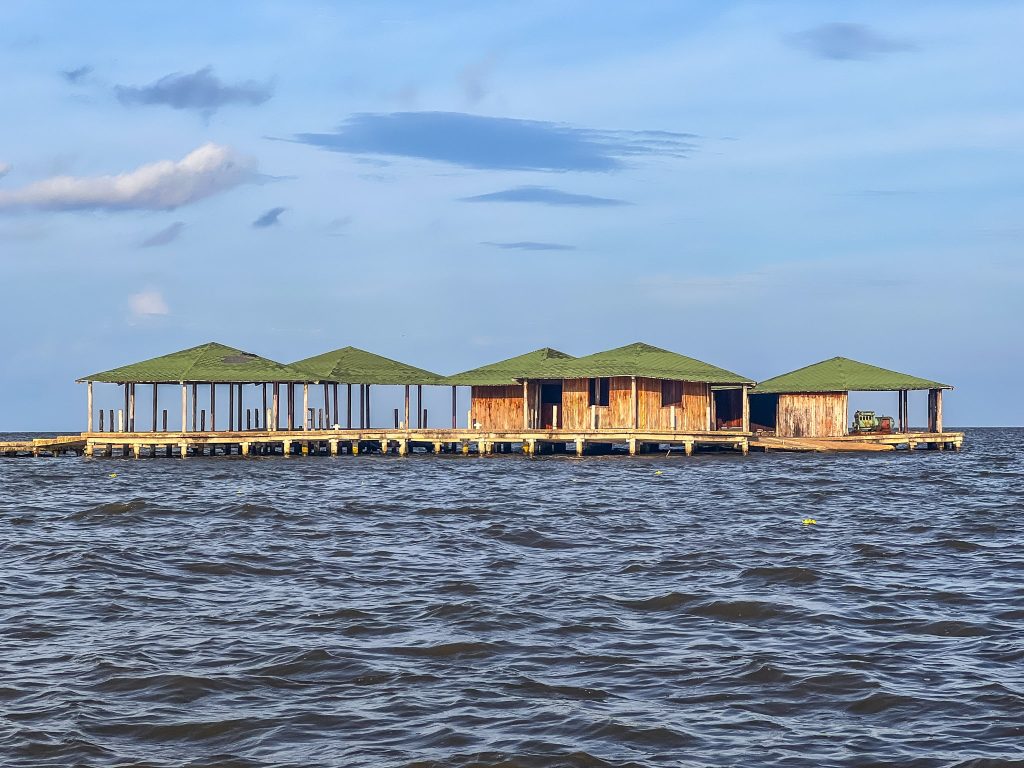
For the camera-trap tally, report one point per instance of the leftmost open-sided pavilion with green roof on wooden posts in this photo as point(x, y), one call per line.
point(211, 364)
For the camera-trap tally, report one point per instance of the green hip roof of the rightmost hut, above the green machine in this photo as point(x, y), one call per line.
point(844, 375)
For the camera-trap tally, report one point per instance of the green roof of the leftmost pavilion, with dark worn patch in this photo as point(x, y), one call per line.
point(210, 363)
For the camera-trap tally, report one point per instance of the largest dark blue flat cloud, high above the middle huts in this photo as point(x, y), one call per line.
point(496, 144)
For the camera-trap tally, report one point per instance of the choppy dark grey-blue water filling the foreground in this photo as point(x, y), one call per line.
point(464, 612)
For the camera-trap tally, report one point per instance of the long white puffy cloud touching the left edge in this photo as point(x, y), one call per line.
point(162, 186)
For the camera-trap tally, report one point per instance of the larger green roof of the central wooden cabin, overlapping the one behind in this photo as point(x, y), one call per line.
point(650, 362)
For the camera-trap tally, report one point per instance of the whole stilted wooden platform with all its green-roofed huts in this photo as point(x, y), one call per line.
point(638, 397)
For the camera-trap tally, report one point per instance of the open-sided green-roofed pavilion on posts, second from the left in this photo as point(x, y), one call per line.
point(352, 366)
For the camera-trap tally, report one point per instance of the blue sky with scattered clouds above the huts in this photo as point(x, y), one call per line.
point(760, 186)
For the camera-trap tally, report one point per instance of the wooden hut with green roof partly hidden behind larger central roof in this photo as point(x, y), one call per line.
point(508, 395)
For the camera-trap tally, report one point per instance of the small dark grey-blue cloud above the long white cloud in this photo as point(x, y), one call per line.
point(201, 91)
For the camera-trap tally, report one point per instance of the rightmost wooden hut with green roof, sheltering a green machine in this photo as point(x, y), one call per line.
point(814, 402)
